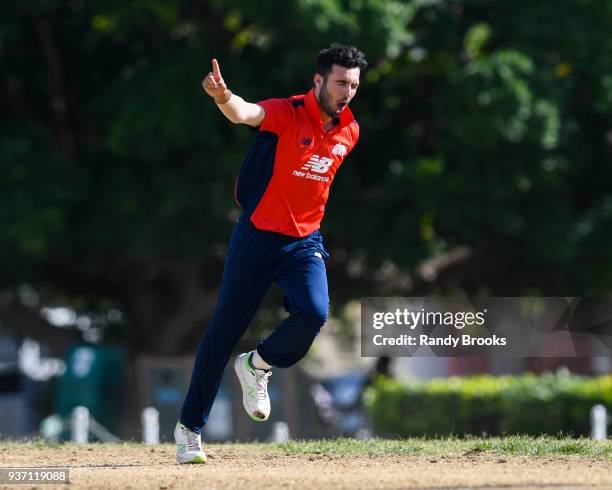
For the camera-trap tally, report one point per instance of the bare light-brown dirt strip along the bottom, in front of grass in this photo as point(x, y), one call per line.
point(241, 467)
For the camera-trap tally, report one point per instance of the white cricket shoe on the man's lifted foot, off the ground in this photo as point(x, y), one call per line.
point(254, 383)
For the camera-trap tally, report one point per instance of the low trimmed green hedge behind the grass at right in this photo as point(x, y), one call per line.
point(490, 405)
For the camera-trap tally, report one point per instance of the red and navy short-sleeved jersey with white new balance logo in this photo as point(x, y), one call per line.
point(285, 178)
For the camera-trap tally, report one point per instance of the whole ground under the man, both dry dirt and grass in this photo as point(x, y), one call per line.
point(513, 462)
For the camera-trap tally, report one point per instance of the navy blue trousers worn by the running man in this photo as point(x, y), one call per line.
point(255, 259)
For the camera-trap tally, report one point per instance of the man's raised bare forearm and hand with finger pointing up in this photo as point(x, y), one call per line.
point(235, 108)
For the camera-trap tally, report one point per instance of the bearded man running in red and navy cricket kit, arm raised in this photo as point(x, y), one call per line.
point(282, 189)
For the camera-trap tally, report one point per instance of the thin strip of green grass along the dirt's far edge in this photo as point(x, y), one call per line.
point(449, 447)
